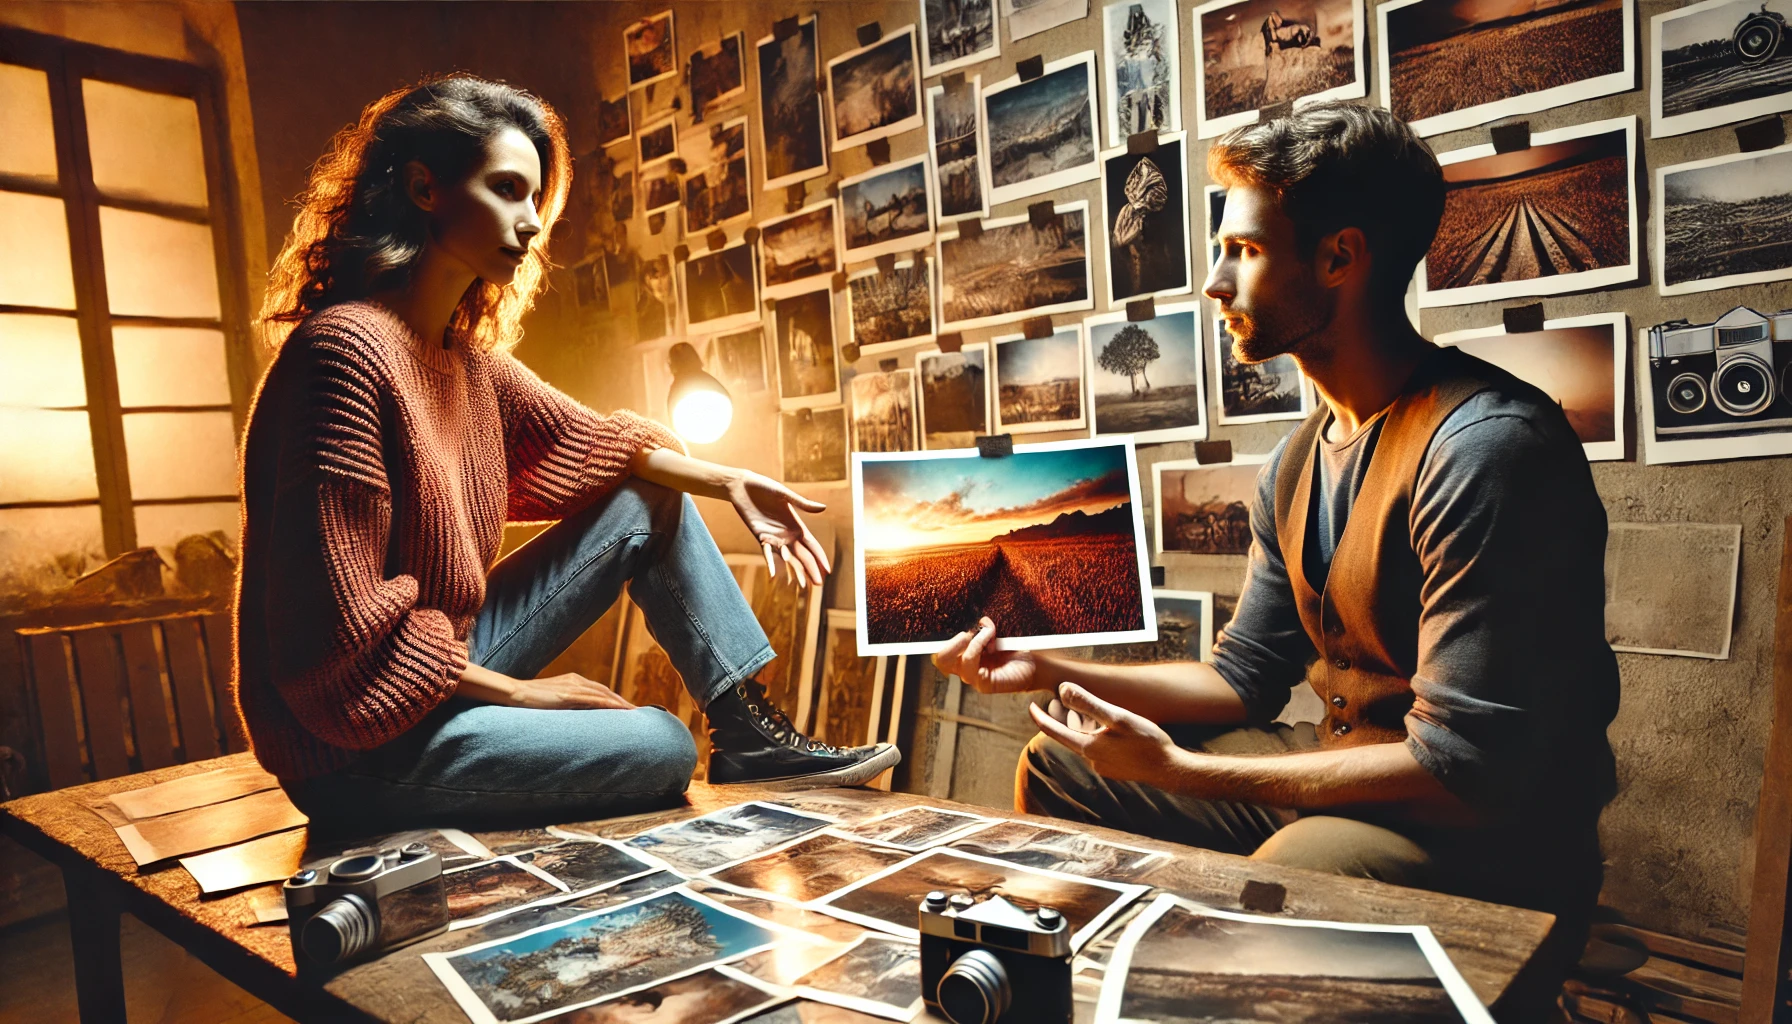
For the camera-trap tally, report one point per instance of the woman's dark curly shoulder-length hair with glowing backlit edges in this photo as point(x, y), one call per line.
point(359, 232)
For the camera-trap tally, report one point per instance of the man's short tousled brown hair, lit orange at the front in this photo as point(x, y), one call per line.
point(1341, 166)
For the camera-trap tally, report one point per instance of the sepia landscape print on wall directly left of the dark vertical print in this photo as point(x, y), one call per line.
point(1015, 270)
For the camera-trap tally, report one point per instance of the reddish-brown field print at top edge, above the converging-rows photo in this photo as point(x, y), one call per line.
point(1449, 65)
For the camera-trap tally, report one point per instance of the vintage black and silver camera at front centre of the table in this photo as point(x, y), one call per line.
point(994, 962)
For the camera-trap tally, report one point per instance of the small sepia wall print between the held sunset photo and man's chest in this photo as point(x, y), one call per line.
point(1205, 508)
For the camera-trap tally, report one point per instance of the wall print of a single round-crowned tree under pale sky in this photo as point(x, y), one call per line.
point(1148, 377)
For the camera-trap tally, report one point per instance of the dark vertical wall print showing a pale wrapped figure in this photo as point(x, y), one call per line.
point(1146, 218)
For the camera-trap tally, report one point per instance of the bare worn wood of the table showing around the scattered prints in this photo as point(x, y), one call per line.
point(1490, 944)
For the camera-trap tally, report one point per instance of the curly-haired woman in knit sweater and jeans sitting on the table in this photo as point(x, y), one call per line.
point(386, 666)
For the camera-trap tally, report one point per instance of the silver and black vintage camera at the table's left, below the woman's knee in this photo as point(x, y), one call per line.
point(366, 905)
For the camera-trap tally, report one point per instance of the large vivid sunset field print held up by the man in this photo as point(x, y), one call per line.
point(1049, 542)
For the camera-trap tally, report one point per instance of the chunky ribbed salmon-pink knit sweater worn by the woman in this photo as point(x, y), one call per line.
point(379, 474)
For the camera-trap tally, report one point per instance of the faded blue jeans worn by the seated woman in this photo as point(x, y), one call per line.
point(474, 765)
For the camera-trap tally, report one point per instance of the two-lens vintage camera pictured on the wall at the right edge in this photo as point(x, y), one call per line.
point(1727, 377)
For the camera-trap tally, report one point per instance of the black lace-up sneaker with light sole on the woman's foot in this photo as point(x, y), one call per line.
point(754, 742)
